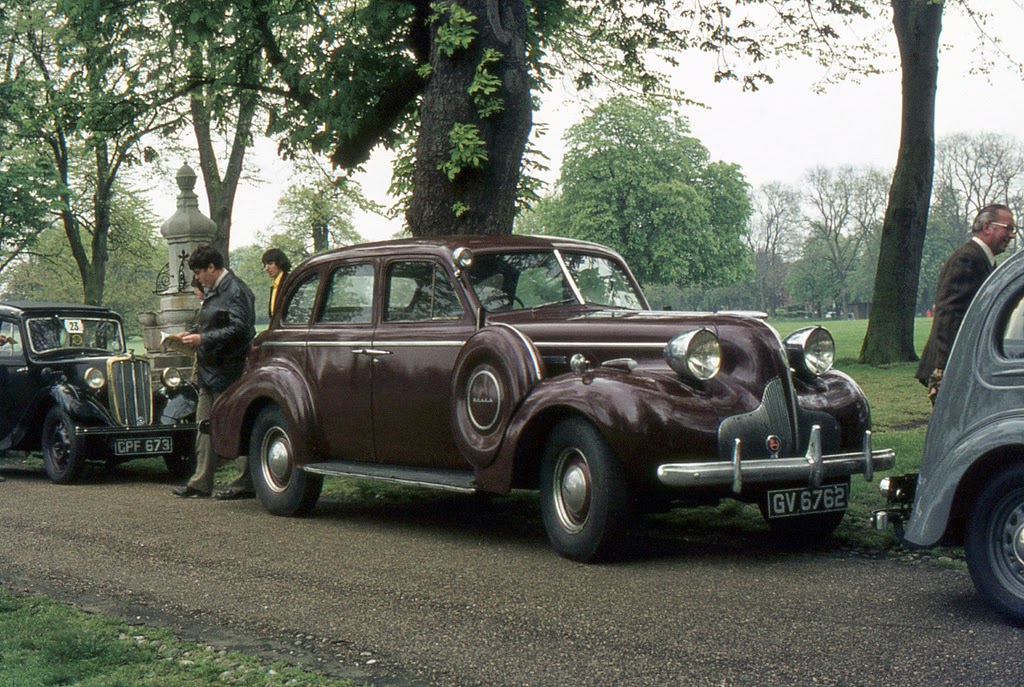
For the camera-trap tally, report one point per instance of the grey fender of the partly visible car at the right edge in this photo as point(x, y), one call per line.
point(945, 466)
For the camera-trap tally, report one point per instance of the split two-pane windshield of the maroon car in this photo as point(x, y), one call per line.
point(514, 281)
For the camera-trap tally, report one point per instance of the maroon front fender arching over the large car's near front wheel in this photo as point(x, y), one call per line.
point(645, 418)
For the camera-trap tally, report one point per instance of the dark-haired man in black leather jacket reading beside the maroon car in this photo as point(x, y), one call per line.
point(221, 338)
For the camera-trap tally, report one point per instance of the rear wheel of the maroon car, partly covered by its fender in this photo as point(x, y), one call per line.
point(280, 486)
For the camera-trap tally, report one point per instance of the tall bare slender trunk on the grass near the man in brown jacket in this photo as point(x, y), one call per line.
point(890, 328)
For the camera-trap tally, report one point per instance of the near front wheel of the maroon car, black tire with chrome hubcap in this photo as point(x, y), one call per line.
point(585, 499)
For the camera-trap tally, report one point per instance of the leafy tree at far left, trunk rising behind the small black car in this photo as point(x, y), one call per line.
point(87, 99)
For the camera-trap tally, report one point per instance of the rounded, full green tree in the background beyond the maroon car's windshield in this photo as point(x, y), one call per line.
point(634, 180)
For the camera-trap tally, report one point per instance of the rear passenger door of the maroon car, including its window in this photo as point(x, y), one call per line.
point(339, 363)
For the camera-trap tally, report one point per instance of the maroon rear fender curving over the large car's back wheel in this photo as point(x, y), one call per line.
point(279, 383)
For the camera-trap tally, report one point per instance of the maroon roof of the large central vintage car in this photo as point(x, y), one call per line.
point(445, 245)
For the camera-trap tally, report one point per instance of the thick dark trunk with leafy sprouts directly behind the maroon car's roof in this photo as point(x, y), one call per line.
point(479, 200)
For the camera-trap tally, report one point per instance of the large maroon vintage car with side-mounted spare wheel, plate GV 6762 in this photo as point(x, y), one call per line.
point(490, 364)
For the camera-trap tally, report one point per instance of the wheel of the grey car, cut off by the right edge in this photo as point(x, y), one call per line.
point(995, 543)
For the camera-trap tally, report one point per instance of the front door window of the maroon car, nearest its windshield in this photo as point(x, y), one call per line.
point(420, 292)
